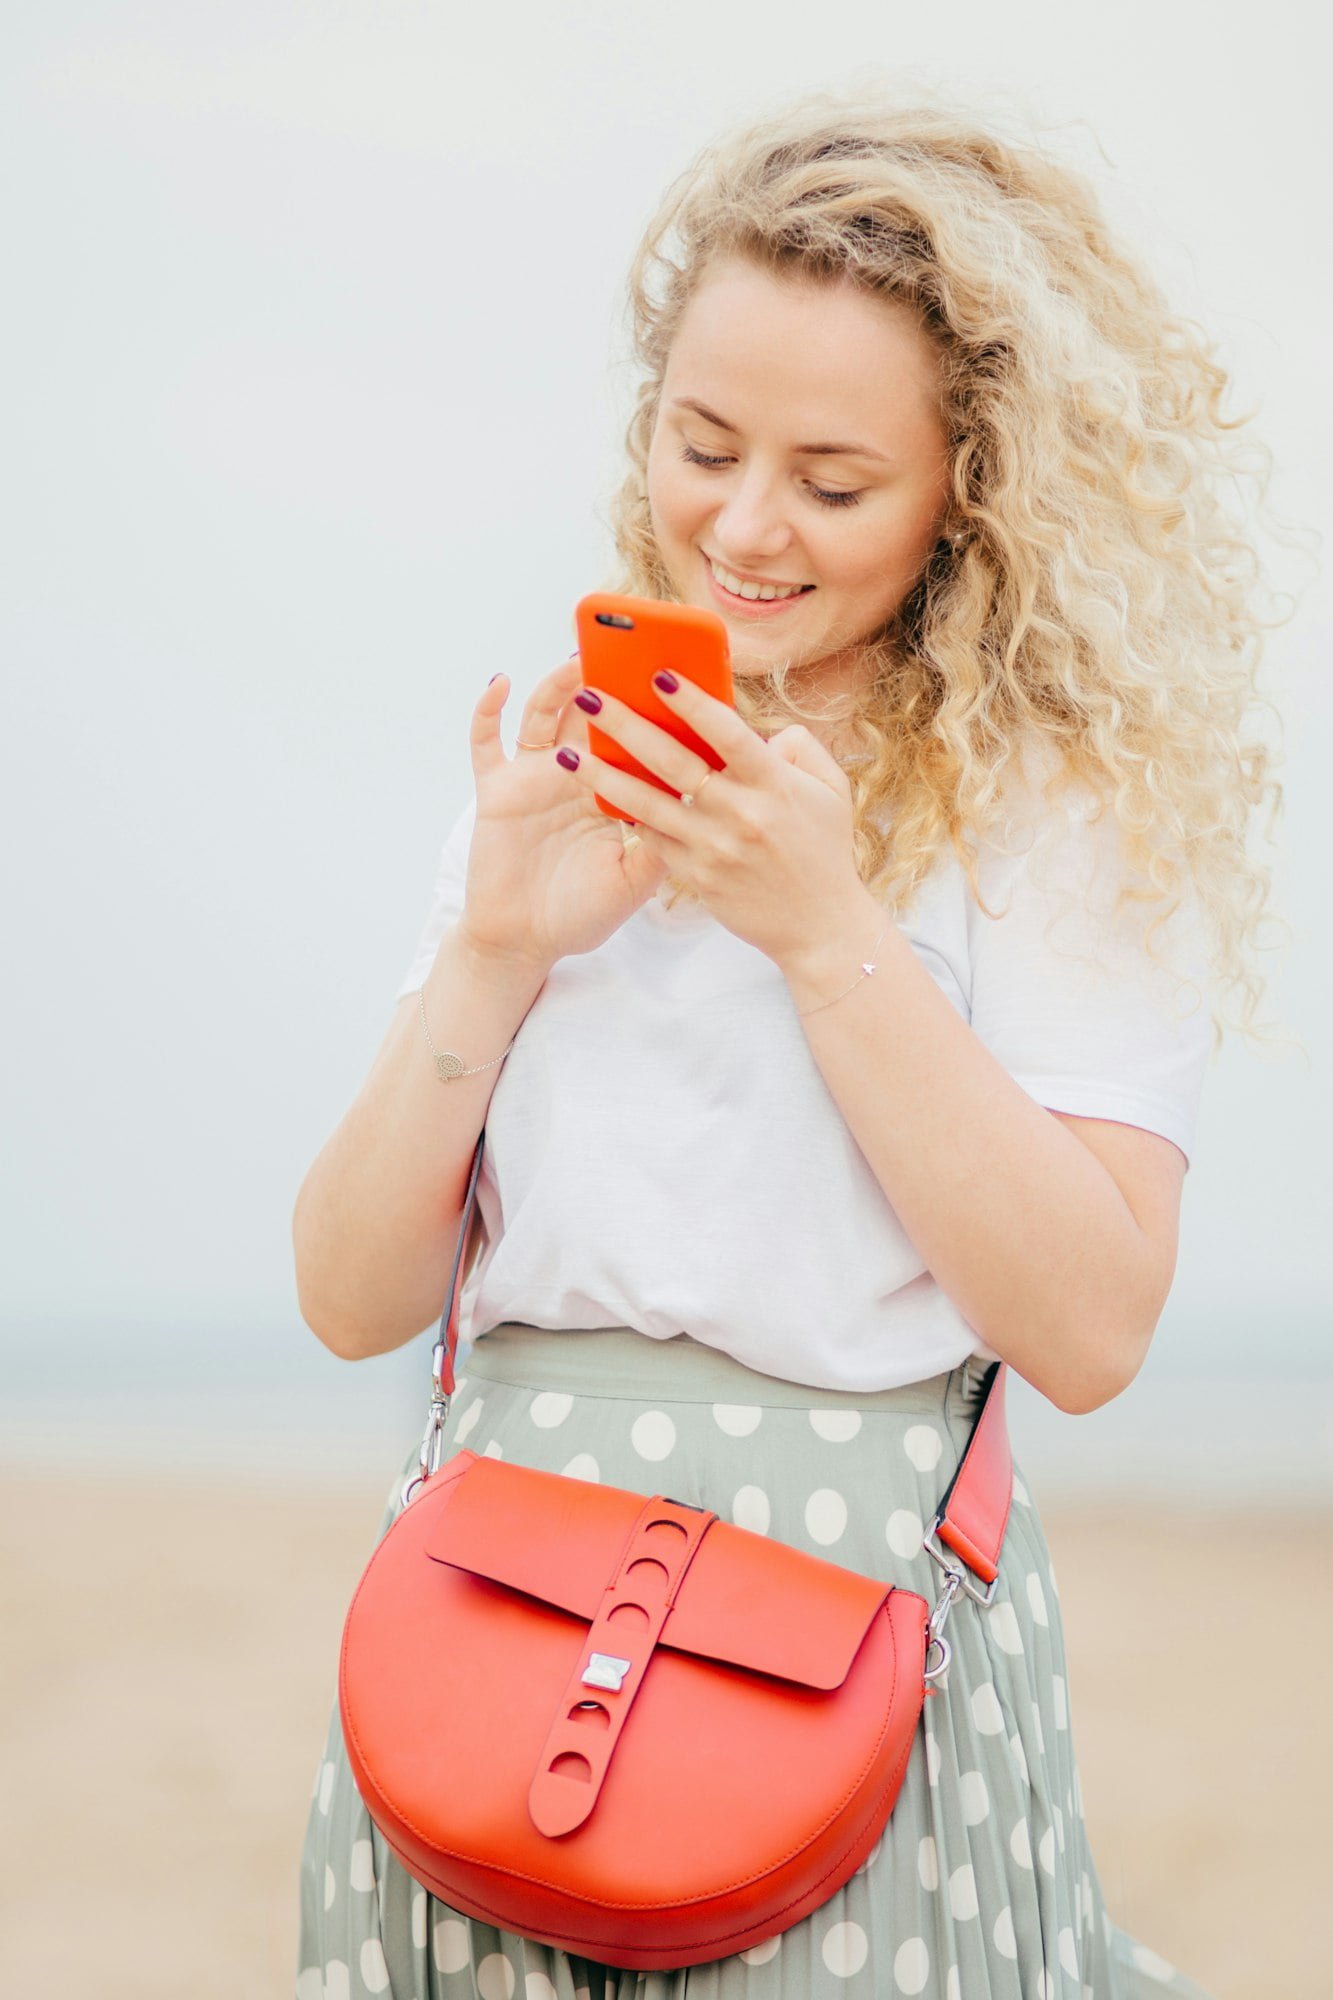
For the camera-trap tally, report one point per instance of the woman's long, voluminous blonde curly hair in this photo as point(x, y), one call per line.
point(1102, 599)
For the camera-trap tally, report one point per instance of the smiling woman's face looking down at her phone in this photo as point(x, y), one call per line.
point(820, 411)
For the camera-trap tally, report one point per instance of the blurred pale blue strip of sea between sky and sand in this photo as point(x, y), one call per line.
point(1214, 1419)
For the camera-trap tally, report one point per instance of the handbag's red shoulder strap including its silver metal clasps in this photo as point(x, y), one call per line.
point(972, 1517)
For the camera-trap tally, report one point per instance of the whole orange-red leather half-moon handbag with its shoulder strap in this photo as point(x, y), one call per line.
point(621, 1725)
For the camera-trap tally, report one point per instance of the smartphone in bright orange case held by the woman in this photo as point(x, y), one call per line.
point(623, 643)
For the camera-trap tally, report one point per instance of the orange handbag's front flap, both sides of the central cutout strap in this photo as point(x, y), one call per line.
point(744, 1601)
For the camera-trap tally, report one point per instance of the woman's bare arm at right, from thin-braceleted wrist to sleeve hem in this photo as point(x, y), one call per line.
point(1056, 1261)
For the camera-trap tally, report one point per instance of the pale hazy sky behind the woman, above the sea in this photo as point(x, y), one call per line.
point(313, 411)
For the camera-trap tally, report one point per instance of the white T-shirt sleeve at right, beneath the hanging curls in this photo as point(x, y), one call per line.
point(1064, 989)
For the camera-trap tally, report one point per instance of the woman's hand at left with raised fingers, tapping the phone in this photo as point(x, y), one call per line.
point(549, 875)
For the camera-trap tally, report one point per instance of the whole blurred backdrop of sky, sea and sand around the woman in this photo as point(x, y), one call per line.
point(313, 403)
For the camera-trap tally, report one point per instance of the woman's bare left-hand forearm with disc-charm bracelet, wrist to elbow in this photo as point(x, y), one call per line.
point(377, 1215)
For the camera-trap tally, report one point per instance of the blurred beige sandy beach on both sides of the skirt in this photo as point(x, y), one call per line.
point(169, 1669)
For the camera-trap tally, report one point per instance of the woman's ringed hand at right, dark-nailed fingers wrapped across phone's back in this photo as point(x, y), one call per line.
point(770, 841)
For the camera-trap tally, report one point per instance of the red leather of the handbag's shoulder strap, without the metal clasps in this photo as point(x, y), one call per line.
point(976, 1509)
